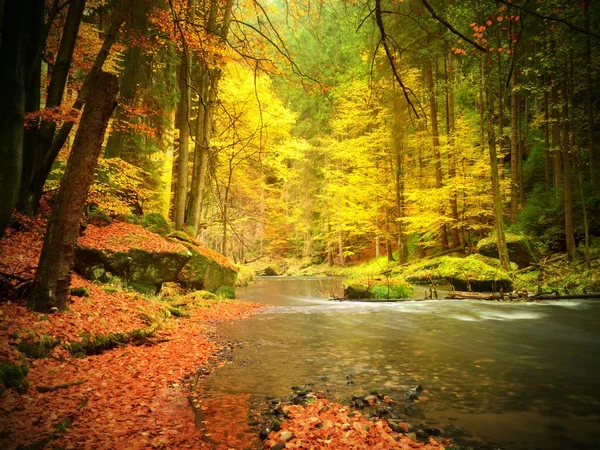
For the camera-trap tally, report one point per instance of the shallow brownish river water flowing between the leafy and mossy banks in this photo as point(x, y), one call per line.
point(518, 375)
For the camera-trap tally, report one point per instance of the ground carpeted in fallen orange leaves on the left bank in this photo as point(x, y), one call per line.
point(115, 370)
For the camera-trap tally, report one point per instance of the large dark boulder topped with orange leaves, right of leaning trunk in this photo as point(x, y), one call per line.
point(143, 259)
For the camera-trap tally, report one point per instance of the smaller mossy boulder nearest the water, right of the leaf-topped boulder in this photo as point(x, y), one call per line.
point(206, 269)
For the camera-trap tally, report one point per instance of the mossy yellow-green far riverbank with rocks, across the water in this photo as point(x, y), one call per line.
point(551, 275)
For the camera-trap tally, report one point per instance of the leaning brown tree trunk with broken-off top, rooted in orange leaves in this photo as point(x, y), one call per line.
point(51, 287)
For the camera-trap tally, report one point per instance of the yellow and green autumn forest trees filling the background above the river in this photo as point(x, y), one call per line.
point(321, 130)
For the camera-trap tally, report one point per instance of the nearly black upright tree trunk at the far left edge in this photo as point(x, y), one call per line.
point(12, 106)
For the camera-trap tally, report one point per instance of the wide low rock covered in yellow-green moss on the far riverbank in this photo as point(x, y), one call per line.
point(462, 273)
